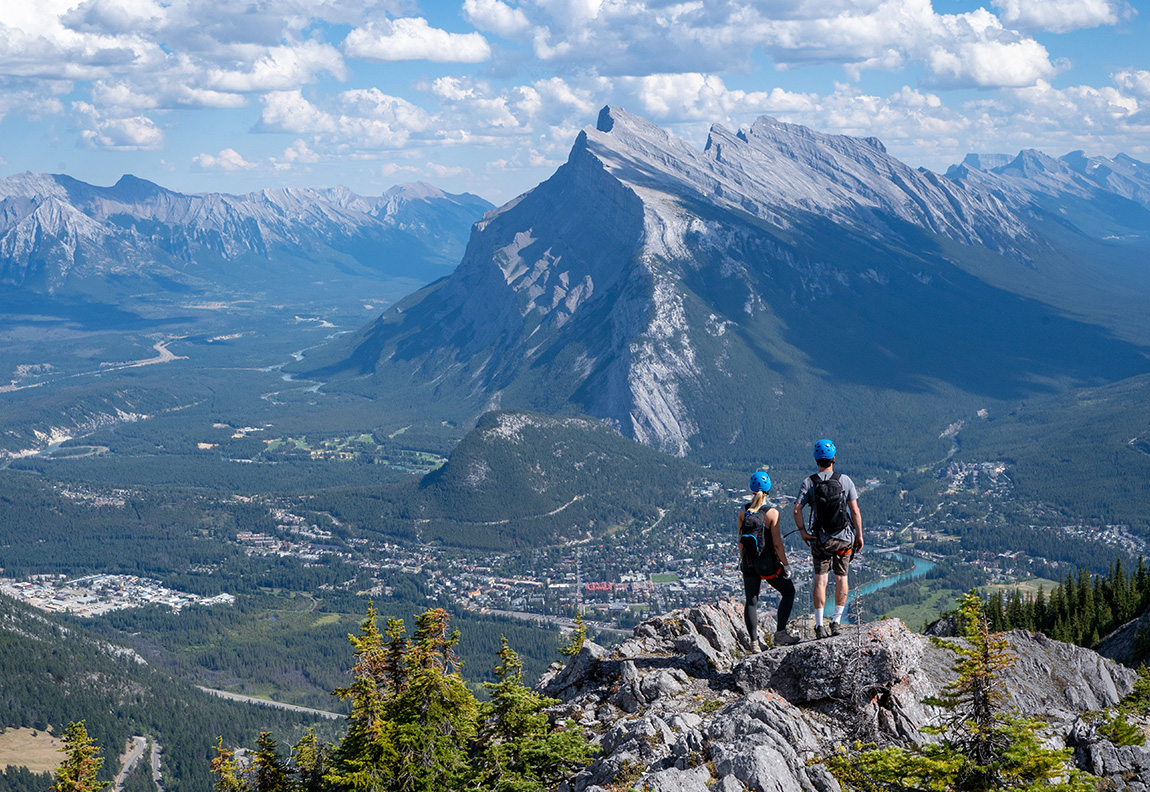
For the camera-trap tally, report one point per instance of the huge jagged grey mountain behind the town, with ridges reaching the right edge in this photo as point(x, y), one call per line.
point(778, 286)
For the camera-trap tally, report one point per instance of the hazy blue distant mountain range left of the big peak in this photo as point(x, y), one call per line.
point(62, 236)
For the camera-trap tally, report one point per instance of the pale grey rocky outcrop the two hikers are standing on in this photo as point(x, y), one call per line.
point(685, 708)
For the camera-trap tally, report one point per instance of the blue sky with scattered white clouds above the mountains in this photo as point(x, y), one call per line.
point(488, 96)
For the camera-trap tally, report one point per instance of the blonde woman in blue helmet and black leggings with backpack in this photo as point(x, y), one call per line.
point(762, 557)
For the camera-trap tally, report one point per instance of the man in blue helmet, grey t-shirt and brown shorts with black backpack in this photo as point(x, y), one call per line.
point(837, 533)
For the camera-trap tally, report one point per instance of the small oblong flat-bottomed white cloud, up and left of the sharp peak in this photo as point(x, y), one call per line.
point(413, 40)
